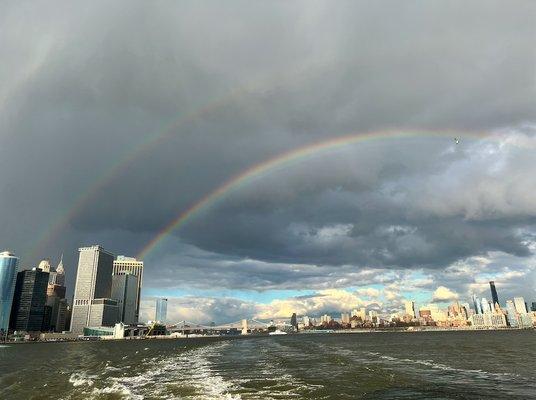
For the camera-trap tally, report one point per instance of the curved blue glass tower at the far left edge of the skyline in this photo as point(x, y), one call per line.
point(8, 277)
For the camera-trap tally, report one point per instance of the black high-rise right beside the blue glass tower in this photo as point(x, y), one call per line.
point(29, 300)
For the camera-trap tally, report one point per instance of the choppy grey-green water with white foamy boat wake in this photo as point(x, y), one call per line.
point(435, 365)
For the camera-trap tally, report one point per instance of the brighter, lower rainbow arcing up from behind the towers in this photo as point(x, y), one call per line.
point(290, 157)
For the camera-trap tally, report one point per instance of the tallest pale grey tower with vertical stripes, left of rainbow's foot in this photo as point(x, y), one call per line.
point(93, 282)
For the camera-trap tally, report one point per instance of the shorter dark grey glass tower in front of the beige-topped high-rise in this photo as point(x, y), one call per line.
point(125, 292)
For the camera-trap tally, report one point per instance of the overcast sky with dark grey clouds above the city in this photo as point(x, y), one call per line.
point(218, 87)
